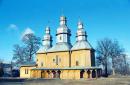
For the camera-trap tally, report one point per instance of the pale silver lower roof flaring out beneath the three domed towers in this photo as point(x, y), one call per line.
point(66, 47)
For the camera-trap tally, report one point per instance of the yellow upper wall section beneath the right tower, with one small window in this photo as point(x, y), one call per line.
point(82, 56)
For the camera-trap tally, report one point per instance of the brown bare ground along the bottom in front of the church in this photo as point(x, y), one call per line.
point(99, 81)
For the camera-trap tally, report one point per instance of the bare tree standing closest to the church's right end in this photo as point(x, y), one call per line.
point(103, 50)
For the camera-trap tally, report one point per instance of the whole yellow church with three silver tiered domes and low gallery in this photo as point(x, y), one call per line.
point(63, 60)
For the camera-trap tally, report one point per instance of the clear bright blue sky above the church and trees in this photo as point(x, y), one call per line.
point(101, 18)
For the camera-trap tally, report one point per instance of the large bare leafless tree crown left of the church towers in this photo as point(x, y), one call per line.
point(24, 54)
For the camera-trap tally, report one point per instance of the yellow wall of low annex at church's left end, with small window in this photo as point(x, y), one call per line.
point(26, 74)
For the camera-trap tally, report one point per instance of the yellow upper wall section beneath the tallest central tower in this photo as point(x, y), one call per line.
point(62, 57)
